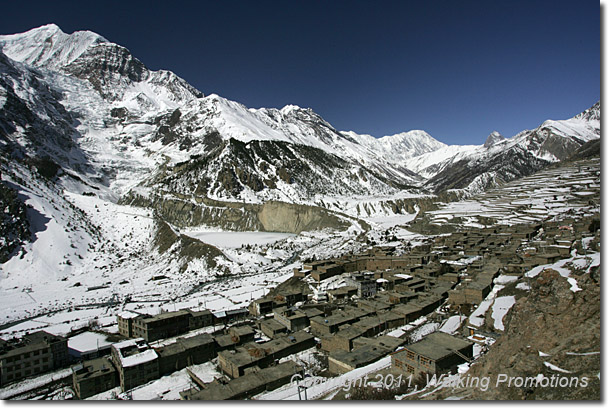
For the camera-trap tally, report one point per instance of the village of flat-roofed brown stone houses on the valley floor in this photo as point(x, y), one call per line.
point(349, 312)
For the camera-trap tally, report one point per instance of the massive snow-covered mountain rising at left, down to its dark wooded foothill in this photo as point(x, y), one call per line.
point(126, 127)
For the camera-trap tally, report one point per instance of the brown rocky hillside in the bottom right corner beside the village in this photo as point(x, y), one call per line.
point(551, 324)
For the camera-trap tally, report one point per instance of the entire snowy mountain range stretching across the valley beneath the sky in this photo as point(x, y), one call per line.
point(93, 119)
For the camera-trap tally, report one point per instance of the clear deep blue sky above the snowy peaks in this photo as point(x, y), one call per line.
point(457, 69)
